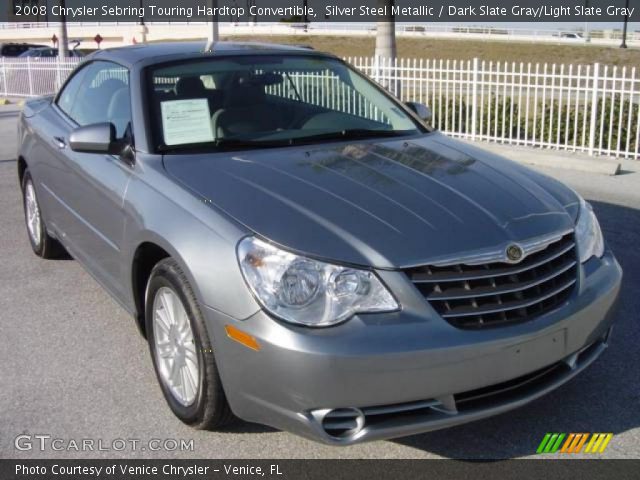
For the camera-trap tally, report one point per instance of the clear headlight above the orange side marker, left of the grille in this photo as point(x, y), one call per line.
point(301, 290)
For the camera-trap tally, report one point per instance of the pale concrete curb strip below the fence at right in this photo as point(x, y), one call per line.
point(554, 159)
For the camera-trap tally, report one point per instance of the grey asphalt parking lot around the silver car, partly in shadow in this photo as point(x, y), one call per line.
point(73, 366)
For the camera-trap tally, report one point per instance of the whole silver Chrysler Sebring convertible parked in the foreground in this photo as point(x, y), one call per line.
point(302, 250)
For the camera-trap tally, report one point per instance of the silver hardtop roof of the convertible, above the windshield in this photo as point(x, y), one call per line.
point(150, 54)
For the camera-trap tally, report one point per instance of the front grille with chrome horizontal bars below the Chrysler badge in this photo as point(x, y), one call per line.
point(496, 294)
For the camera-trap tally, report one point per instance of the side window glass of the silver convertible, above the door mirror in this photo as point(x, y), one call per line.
point(103, 96)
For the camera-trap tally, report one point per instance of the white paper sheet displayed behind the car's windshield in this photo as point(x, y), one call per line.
point(186, 121)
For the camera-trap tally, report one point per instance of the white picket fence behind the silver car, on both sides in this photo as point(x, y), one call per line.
point(580, 108)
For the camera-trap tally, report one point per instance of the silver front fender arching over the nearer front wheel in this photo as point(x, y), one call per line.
point(202, 240)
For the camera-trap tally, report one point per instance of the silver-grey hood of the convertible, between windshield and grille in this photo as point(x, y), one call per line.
point(383, 203)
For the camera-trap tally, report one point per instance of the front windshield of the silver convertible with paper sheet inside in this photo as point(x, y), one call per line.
point(268, 100)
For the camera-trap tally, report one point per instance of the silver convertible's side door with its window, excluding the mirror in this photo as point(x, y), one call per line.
point(90, 187)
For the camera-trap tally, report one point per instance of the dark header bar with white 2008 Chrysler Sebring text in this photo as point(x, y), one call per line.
point(477, 11)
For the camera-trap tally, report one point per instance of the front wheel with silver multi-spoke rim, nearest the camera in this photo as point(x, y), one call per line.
point(204, 407)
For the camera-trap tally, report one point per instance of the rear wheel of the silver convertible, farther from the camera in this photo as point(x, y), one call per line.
point(43, 244)
